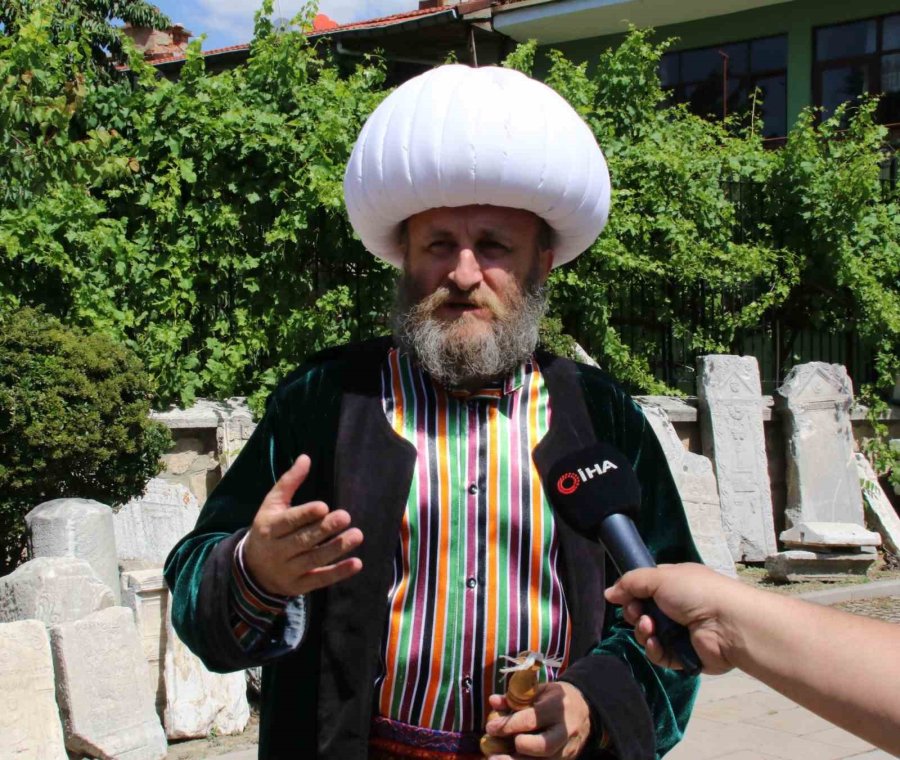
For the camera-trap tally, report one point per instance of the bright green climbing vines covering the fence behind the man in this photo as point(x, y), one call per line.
point(201, 221)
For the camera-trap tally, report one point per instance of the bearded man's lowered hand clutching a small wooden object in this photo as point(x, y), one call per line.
point(556, 726)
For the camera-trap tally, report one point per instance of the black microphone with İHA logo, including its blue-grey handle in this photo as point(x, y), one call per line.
point(597, 492)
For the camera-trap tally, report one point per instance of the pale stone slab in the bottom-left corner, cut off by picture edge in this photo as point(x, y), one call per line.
point(29, 720)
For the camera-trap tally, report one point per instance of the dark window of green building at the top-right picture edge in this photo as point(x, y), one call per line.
point(858, 58)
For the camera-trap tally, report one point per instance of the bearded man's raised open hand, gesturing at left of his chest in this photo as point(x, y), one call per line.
point(295, 550)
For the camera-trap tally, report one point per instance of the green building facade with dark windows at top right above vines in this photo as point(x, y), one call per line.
point(796, 53)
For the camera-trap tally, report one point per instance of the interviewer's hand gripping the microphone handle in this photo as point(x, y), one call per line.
point(690, 594)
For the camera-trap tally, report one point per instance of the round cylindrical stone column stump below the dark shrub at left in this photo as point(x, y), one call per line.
point(80, 528)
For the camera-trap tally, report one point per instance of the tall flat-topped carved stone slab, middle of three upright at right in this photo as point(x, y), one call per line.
point(731, 403)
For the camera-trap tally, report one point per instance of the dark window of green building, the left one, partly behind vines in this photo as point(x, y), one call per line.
point(720, 80)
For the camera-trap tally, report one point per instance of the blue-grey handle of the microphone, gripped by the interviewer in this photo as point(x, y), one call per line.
point(627, 550)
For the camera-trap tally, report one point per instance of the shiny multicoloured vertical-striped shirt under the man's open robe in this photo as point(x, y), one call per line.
point(476, 567)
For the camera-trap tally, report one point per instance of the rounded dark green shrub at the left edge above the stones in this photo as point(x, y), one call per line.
point(74, 421)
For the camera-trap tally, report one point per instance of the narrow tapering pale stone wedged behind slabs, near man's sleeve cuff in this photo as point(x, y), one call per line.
point(146, 594)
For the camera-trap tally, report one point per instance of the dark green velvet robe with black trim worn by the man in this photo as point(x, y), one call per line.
point(317, 692)
